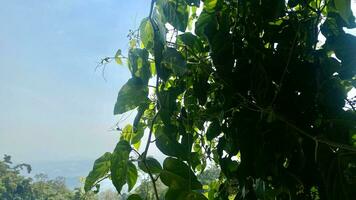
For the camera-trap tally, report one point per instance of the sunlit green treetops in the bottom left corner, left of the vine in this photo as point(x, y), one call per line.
point(15, 186)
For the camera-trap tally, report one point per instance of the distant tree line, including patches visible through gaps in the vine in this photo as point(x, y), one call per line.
point(15, 186)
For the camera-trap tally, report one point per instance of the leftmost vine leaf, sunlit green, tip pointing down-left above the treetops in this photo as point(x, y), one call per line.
point(100, 169)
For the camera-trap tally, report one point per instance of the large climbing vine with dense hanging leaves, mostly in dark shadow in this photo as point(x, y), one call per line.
point(249, 85)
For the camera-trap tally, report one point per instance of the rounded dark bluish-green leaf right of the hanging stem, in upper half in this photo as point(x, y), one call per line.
point(175, 61)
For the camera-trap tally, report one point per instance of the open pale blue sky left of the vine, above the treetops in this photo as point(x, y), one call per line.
point(53, 106)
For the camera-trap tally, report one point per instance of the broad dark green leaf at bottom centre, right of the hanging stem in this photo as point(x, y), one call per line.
point(177, 175)
